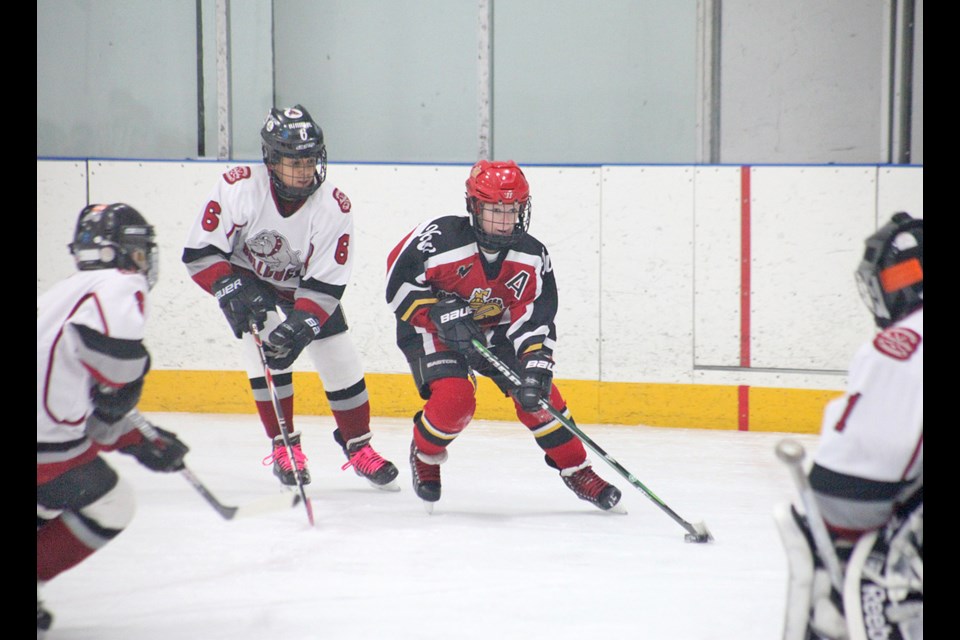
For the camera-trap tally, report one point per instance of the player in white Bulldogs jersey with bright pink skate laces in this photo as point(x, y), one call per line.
point(272, 244)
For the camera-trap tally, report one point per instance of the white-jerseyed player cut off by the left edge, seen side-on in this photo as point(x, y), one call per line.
point(91, 363)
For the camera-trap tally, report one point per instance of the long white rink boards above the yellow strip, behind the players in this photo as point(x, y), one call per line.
point(647, 260)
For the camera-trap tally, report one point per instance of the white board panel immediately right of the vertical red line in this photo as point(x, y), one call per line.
point(808, 226)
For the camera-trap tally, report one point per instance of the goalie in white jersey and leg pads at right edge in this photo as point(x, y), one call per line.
point(867, 472)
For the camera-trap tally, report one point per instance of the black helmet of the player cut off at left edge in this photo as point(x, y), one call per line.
point(115, 236)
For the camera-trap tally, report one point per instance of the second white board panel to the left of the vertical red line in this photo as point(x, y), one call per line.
point(647, 274)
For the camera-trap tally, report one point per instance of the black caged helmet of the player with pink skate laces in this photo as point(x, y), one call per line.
point(292, 133)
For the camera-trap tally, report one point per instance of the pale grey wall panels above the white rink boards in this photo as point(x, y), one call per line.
point(573, 81)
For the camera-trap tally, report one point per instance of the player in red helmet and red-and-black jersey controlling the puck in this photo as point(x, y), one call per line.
point(457, 278)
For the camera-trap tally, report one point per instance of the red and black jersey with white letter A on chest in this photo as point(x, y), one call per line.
point(514, 295)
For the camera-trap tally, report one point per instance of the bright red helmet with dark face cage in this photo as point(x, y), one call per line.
point(502, 184)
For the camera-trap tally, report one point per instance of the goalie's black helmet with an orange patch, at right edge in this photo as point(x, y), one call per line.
point(890, 276)
